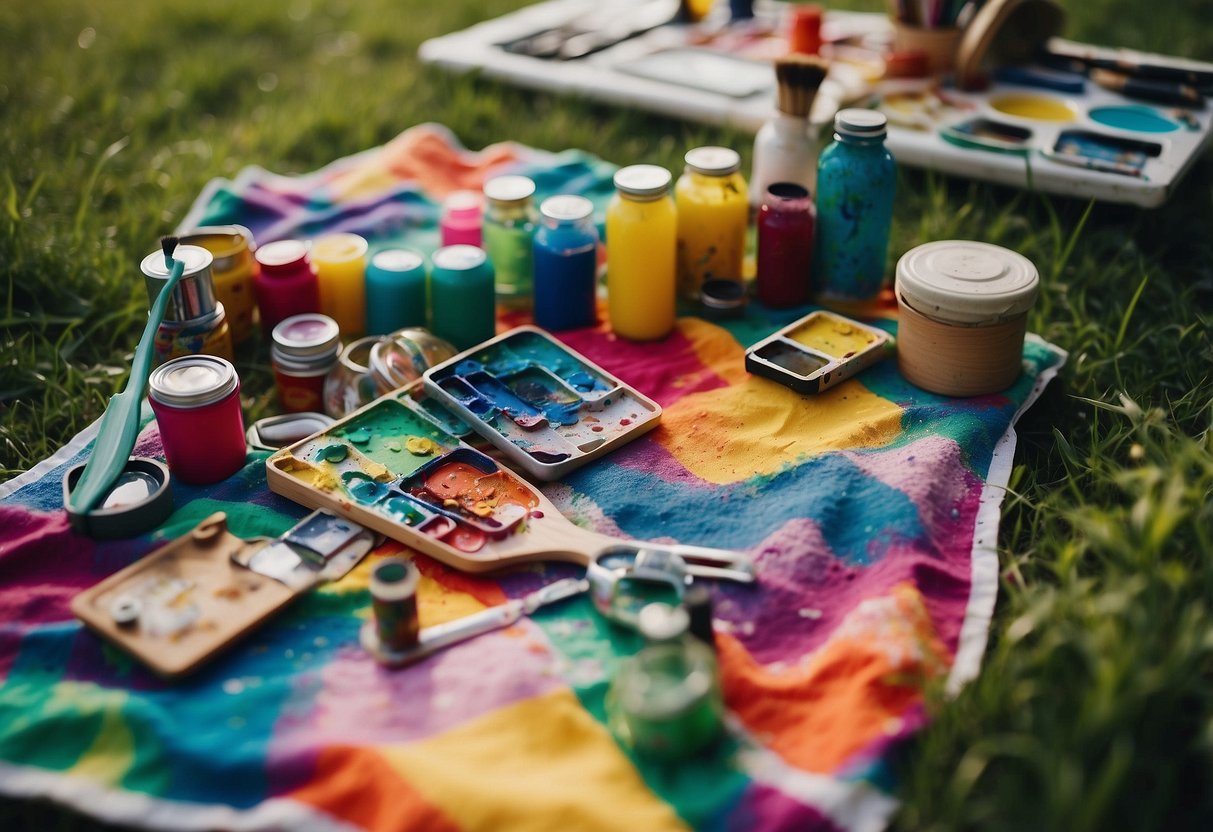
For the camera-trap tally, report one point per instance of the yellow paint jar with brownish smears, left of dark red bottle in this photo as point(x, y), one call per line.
point(714, 209)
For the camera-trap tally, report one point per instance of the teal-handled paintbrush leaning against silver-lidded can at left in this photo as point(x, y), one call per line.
point(121, 423)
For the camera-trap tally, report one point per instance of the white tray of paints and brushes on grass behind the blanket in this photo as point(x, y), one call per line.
point(1005, 99)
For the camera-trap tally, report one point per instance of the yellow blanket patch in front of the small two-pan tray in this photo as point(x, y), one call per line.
point(758, 428)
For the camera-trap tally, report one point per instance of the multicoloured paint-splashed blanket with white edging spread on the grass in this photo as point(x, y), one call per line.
point(872, 512)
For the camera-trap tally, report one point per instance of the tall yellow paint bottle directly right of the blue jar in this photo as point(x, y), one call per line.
point(642, 246)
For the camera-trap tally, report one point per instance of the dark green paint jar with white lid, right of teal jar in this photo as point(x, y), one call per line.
point(462, 292)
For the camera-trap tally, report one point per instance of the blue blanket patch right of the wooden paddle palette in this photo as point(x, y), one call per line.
point(859, 516)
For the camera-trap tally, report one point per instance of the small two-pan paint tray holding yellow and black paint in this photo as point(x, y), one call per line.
point(818, 352)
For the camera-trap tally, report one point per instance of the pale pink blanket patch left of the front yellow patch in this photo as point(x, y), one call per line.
point(360, 703)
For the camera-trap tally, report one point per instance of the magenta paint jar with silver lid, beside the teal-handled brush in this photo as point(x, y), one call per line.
point(197, 404)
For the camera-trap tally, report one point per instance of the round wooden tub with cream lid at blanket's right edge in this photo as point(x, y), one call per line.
point(964, 314)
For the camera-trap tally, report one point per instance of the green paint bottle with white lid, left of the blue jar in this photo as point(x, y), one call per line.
point(506, 235)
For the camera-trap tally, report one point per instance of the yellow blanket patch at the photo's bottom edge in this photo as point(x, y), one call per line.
point(542, 765)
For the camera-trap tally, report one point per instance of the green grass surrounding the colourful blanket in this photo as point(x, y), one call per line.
point(1095, 708)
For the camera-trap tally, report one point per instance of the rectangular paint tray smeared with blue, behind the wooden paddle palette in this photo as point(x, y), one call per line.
point(544, 407)
